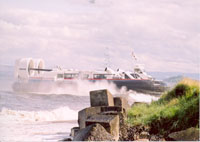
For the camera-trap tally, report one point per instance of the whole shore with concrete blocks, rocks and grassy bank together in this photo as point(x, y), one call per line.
point(123, 123)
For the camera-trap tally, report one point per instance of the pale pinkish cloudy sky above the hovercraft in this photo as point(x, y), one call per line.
point(86, 34)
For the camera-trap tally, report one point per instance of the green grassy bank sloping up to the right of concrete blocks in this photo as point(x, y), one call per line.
point(176, 110)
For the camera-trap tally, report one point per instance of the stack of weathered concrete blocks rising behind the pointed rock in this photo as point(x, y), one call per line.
point(103, 112)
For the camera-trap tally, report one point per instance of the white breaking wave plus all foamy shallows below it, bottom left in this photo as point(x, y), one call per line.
point(50, 125)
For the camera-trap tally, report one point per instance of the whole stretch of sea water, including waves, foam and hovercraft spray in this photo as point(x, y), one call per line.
point(50, 115)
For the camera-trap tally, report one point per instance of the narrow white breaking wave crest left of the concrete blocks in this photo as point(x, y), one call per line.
point(59, 114)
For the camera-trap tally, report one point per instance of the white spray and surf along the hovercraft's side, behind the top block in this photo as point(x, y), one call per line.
point(83, 87)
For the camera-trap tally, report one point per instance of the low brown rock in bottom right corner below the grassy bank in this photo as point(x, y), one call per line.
point(191, 134)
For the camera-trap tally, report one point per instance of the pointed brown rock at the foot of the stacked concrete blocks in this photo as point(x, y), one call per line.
point(94, 132)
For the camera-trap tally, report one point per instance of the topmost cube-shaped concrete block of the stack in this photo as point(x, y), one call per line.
point(101, 98)
